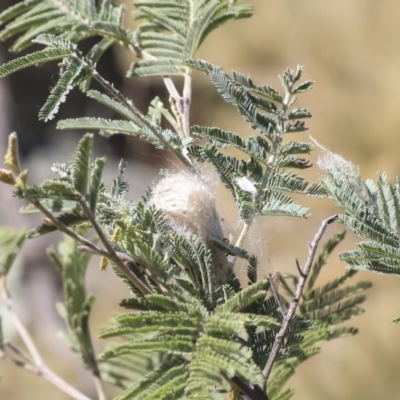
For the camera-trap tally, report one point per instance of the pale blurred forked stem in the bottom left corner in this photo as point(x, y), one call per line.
point(38, 365)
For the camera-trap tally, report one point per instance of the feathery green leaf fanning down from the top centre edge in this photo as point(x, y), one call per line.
point(171, 32)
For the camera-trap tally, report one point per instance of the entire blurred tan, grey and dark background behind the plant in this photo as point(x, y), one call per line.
point(351, 50)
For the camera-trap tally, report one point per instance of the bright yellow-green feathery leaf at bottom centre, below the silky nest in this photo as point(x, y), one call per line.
point(212, 351)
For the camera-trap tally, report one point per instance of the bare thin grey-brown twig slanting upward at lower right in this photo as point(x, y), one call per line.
point(296, 298)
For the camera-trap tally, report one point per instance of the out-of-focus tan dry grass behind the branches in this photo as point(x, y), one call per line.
point(351, 50)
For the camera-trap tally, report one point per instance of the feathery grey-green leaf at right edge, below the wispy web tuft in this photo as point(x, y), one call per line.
point(372, 210)
